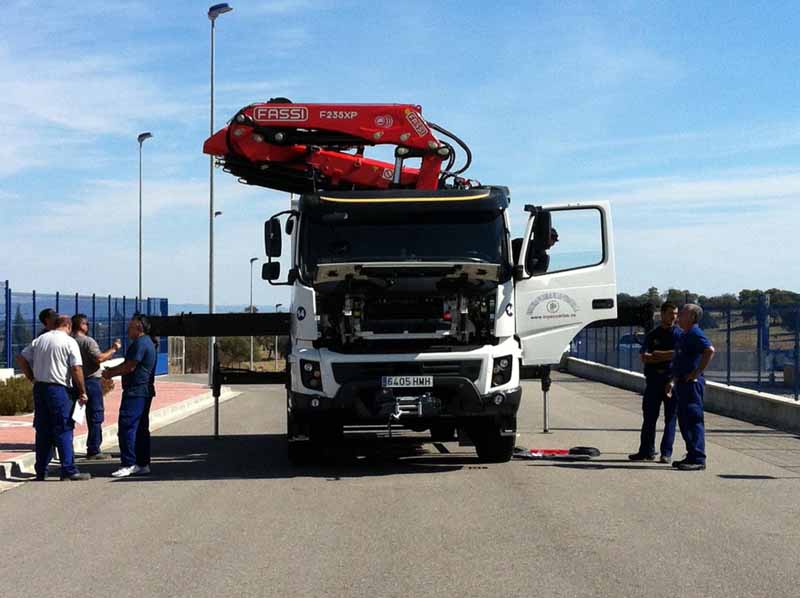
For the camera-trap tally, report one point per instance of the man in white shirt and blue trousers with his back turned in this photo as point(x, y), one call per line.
point(53, 363)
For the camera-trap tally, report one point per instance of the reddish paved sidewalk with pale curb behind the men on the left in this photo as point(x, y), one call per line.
point(173, 401)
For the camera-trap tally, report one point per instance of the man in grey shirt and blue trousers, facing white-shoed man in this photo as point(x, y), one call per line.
point(92, 358)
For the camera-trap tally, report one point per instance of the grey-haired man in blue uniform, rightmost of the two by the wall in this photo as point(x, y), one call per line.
point(693, 353)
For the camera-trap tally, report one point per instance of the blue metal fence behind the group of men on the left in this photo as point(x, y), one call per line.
point(108, 319)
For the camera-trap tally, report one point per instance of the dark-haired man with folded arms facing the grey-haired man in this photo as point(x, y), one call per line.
point(657, 354)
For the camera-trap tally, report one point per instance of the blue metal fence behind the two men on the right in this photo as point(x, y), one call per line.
point(757, 347)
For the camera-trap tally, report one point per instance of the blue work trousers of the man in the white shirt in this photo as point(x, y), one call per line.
point(52, 420)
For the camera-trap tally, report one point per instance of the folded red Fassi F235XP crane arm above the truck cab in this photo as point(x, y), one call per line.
point(300, 147)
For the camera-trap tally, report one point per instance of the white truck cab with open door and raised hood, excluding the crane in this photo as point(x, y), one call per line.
point(415, 308)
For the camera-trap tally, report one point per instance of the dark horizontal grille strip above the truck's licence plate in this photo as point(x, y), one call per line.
point(365, 372)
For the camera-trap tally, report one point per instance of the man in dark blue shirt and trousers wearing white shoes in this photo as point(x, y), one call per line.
point(137, 394)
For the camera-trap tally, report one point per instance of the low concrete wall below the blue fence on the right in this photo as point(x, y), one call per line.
point(744, 404)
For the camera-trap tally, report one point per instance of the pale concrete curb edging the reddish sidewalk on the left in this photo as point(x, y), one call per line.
point(23, 465)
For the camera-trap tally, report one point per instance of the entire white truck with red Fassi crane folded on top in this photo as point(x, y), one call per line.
point(411, 304)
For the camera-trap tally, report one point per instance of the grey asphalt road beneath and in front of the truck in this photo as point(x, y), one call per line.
point(232, 518)
